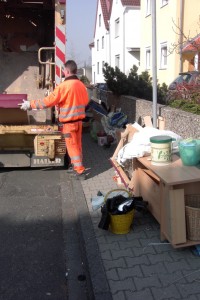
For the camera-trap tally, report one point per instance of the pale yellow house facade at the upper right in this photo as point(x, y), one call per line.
point(177, 24)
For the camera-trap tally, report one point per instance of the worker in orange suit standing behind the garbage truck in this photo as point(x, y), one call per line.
point(71, 98)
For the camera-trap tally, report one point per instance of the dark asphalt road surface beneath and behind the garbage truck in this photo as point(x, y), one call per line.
point(35, 250)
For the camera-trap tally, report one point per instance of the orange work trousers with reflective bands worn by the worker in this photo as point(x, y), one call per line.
point(73, 138)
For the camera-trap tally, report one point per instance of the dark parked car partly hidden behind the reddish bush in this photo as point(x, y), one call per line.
point(184, 85)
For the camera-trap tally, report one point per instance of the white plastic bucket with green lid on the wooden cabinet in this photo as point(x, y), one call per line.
point(161, 150)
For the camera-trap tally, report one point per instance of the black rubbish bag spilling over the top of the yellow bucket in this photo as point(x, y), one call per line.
point(120, 205)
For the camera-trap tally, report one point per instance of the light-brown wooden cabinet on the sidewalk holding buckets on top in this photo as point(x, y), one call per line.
point(165, 187)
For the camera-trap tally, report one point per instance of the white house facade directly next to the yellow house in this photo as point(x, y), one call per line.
point(124, 35)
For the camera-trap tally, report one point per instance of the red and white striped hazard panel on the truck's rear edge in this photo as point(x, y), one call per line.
point(59, 51)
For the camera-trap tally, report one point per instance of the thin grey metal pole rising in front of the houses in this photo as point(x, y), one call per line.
point(154, 63)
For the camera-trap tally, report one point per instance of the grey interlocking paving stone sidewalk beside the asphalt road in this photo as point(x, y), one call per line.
point(137, 265)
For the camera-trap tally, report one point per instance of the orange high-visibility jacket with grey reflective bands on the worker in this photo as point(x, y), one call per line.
point(70, 96)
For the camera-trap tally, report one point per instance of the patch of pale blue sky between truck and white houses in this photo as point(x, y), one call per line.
point(81, 15)
